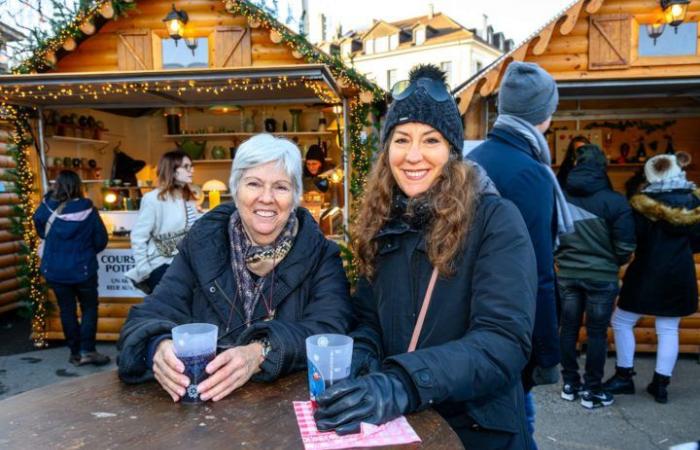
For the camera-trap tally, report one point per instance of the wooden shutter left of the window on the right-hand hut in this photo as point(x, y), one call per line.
point(609, 42)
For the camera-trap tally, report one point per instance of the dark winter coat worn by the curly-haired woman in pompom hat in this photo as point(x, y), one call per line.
point(476, 337)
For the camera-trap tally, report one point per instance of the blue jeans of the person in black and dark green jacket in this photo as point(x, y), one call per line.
point(596, 299)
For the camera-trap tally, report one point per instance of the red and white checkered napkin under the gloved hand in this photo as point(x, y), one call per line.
point(398, 431)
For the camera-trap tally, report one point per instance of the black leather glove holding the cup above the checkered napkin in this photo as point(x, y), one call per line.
point(376, 398)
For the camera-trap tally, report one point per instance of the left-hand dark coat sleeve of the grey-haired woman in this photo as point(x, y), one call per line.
point(169, 305)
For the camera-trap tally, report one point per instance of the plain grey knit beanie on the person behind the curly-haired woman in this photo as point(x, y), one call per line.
point(528, 92)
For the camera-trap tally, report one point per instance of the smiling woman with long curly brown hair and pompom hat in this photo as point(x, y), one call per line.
point(448, 270)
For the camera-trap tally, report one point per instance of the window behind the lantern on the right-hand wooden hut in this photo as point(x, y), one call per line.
point(670, 43)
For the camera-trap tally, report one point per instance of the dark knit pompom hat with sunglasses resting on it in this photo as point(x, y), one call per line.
point(420, 106)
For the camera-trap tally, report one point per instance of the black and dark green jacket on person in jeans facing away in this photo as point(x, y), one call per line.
point(604, 236)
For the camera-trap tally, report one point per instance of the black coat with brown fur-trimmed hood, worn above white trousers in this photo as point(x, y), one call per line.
point(661, 279)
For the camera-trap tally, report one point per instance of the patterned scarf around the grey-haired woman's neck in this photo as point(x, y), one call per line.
point(248, 258)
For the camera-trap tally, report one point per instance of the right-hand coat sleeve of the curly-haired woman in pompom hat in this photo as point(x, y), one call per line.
point(497, 344)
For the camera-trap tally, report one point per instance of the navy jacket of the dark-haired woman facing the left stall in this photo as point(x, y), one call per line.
point(76, 236)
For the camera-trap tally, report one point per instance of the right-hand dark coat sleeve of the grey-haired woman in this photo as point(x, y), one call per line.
point(327, 310)
